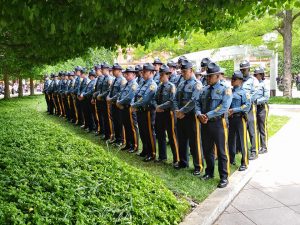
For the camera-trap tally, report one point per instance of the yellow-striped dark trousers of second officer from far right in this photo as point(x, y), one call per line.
point(252, 129)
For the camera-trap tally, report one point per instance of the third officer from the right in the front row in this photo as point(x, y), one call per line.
point(165, 119)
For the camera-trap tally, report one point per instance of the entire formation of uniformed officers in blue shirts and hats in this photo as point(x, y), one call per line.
point(201, 114)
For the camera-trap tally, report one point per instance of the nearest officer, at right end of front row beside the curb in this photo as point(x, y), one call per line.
point(211, 109)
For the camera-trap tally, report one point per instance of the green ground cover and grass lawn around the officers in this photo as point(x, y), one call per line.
point(51, 169)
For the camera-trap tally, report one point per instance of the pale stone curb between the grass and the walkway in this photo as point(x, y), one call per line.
point(211, 208)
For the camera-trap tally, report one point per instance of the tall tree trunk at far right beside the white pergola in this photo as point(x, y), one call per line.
point(287, 52)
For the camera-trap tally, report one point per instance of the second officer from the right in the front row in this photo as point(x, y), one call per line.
point(187, 123)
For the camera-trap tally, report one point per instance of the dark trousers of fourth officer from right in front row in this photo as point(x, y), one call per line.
point(146, 119)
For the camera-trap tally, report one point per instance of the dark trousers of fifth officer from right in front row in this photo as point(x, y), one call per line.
point(129, 122)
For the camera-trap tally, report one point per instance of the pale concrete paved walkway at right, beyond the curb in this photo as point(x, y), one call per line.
point(272, 196)
